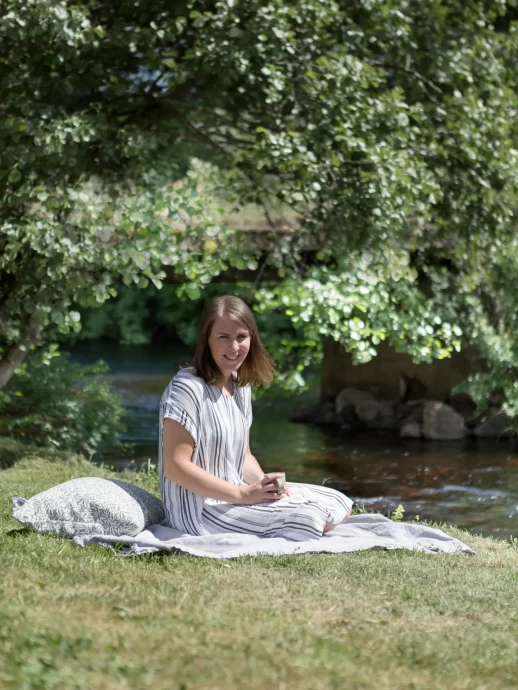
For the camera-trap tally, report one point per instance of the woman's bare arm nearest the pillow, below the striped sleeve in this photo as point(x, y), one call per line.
point(177, 450)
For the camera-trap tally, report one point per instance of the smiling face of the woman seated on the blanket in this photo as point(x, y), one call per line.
point(229, 343)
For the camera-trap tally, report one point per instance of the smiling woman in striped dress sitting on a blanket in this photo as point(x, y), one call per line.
point(209, 479)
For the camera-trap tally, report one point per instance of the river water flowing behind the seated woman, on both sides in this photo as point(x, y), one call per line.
point(472, 484)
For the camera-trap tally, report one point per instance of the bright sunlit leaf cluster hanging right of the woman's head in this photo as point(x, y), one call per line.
point(370, 300)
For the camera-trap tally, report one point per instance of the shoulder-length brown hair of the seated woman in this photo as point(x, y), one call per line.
point(258, 367)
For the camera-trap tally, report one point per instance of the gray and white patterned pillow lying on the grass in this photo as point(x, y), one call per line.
point(90, 505)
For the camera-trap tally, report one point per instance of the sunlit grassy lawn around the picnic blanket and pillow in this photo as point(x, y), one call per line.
point(83, 618)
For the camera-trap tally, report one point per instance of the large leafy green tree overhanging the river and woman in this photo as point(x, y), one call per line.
point(390, 127)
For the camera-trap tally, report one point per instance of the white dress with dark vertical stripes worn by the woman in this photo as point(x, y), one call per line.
point(219, 426)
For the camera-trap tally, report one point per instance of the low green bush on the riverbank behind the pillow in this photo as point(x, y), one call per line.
point(62, 406)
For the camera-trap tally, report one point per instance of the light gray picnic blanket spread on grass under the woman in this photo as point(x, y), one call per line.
point(359, 533)
